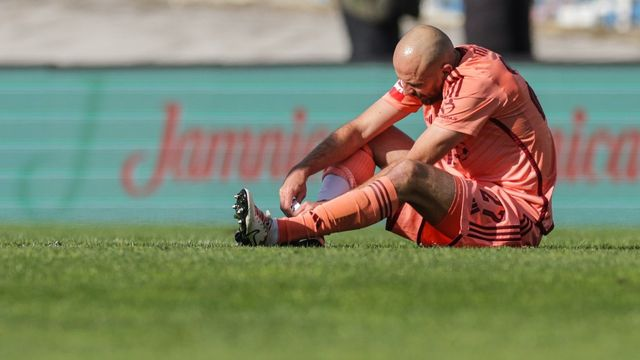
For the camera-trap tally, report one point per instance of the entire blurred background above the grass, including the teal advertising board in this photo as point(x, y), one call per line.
point(160, 110)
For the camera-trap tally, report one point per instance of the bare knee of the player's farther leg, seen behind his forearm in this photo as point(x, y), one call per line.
point(390, 146)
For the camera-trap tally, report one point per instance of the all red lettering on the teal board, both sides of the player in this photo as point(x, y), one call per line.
point(198, 155)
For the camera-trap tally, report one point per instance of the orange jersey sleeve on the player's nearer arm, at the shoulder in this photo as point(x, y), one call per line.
point(468, 112)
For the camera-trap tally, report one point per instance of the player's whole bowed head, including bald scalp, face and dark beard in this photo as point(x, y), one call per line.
point(425, 54)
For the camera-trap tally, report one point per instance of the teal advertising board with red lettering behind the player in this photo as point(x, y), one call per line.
point(174, 144)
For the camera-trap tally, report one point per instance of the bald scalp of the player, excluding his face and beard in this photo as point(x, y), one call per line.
point(423, 47)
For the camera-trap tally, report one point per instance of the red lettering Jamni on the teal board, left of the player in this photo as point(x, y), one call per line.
point(197, 155)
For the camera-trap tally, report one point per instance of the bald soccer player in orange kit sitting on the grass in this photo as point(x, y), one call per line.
point(481, 174)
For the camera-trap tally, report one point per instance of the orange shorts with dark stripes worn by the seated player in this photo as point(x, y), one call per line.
point(481, 215)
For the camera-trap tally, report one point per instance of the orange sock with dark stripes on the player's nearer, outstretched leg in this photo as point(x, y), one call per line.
point(355, 209)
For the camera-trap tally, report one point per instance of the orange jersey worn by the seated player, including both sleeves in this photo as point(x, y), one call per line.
point(508, 141)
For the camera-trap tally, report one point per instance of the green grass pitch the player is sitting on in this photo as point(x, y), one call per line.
point(190, 293)
